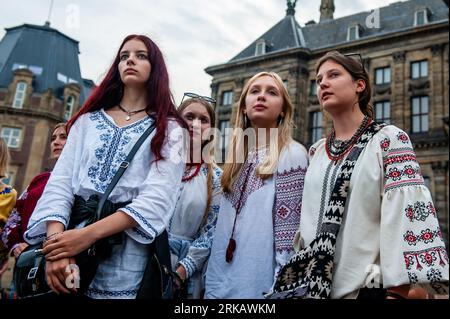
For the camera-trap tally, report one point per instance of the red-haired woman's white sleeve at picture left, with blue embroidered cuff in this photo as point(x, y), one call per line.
point(57, 199)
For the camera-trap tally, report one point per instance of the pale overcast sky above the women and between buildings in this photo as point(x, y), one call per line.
point(192, 34)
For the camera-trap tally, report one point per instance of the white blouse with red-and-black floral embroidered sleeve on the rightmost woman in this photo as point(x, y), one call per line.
point(390, 234)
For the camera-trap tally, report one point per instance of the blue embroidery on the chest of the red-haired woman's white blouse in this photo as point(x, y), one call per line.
point(114, 148)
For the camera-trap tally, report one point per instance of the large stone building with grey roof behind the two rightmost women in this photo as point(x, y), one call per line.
point(404, 46)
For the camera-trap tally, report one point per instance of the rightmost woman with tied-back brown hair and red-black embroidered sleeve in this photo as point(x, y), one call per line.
point(390, 232)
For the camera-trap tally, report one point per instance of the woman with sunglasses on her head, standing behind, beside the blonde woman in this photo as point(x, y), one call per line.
point(192, 226)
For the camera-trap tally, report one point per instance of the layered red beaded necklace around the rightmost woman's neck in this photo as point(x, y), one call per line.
point(336, 150)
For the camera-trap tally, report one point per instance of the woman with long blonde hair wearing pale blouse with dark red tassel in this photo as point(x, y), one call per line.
point(260, 209)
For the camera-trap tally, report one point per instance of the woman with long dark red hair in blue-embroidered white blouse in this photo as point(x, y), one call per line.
point(133, 95)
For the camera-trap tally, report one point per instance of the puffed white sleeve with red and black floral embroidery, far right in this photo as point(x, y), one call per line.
point(412, 249)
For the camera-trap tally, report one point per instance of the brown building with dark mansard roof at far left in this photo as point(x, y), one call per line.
point(40, 86)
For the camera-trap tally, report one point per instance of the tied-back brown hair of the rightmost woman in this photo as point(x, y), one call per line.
point(355, 67)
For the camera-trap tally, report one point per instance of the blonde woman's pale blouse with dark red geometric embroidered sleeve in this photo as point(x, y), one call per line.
point(265, 227)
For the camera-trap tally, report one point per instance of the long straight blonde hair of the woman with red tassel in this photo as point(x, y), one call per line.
point(232, 168)
